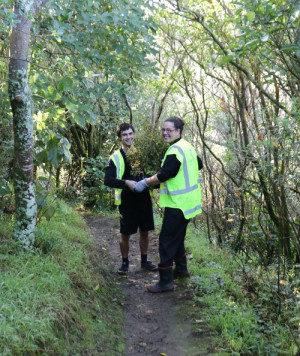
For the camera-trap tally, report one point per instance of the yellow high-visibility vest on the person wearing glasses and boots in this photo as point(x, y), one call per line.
point(184, 190)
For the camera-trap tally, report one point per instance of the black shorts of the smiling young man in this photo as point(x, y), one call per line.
point(136, 216)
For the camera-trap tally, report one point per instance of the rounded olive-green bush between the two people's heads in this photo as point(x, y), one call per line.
point(146, 155)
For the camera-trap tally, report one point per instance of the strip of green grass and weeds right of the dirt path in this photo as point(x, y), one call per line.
point(224, 304)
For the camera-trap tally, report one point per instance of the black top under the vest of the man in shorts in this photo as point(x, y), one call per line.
point(128, 197)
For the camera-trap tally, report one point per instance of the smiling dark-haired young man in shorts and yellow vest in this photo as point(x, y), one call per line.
point(135, 209)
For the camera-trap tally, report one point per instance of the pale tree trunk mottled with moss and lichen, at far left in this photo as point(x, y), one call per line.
point(21, 104)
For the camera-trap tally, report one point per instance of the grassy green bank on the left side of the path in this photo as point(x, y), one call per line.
point(55, 300)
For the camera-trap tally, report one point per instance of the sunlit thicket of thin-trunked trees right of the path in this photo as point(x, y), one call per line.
point(239, 69)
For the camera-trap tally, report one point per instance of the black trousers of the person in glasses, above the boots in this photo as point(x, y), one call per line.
point(171, 237)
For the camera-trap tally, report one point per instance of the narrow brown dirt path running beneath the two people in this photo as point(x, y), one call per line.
point(155, 324)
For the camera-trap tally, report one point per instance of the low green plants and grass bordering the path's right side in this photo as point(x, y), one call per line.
point(238, 300)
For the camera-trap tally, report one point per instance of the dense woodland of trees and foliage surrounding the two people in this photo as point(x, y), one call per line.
point(230, 69)
